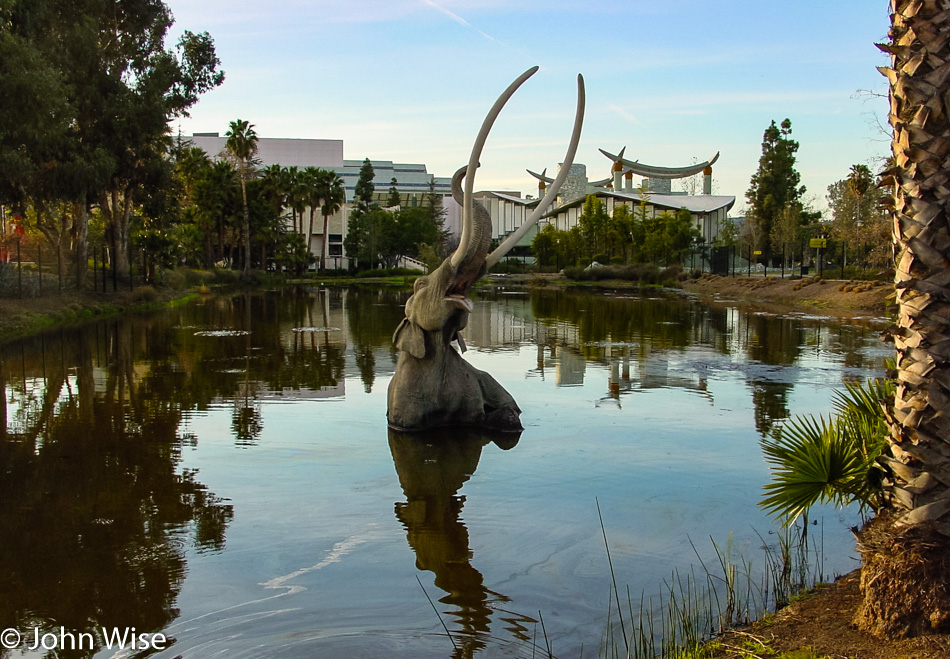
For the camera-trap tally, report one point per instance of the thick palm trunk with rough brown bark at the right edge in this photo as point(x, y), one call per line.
point(905, 575)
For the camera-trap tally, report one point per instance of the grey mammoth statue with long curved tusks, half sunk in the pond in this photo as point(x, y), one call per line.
point(433, 385)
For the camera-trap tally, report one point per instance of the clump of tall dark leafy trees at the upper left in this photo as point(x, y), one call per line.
point(89, 89)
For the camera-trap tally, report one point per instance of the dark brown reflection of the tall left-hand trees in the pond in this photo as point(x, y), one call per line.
point(95, 513)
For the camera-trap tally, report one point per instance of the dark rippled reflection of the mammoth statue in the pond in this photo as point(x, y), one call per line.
point(432, 466)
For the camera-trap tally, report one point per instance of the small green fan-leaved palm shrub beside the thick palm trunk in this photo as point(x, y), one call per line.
point(829, 460)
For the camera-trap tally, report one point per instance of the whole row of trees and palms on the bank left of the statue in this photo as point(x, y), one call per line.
point(87, 161)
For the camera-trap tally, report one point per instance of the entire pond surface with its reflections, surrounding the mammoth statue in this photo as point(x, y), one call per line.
point(222, 472)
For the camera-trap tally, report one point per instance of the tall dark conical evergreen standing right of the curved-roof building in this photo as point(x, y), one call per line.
point(776, 183)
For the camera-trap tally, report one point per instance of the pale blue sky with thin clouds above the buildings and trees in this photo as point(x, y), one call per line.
point(674, 81)
